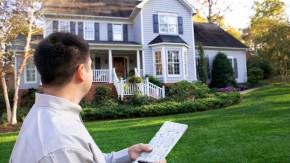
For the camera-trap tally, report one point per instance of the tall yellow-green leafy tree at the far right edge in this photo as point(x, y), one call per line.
point(269, 34)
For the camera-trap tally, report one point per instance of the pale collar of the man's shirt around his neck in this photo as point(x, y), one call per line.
point(45, 100)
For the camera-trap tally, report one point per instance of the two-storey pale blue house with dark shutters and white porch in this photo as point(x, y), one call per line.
point(154, 37)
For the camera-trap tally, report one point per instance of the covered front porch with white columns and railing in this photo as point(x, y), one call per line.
point(122, 62)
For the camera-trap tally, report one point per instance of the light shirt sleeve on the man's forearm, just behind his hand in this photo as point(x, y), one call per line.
point(118, 157)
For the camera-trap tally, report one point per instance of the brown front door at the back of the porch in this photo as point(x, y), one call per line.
point(119, 64)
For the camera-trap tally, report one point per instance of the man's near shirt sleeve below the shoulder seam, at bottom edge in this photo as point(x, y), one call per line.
point(68, 156)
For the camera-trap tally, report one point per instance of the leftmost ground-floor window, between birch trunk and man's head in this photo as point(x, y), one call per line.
point(30, 72)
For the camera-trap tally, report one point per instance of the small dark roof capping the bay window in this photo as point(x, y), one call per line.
point(167, 39)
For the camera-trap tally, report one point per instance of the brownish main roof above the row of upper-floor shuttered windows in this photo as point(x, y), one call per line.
point(110, 8)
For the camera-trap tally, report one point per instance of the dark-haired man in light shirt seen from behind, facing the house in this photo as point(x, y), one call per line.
point(53, 131)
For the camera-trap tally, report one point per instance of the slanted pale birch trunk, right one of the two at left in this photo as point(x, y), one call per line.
point(27, 54)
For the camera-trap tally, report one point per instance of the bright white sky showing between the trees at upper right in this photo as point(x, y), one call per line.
point(239, 16)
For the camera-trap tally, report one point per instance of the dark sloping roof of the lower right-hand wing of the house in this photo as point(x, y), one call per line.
point(209, 34)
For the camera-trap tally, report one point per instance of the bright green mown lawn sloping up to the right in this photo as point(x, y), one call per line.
point(257, 130)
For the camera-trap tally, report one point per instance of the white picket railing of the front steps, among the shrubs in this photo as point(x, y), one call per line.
point(145, 88)
